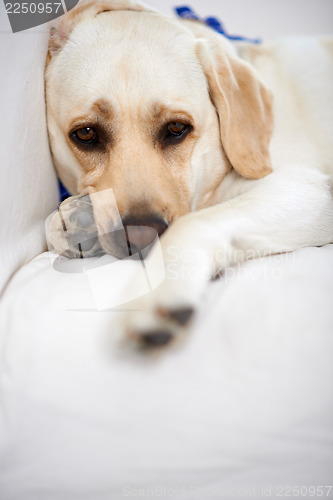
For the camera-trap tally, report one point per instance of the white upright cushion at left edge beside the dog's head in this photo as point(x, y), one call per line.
point(28, 187)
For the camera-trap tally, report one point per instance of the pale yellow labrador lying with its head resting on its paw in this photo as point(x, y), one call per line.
point(229, 145)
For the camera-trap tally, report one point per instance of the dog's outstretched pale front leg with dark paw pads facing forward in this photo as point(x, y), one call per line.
point(280, 213)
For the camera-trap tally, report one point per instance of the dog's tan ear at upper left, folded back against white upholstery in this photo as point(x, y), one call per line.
point(86, 9)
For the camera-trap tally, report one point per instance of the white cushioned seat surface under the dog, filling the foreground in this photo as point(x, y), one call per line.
point(244, 404)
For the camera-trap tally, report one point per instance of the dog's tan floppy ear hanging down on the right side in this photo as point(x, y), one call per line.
point(243, 103)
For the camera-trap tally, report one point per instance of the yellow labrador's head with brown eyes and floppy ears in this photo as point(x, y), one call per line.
point(155, 109)
